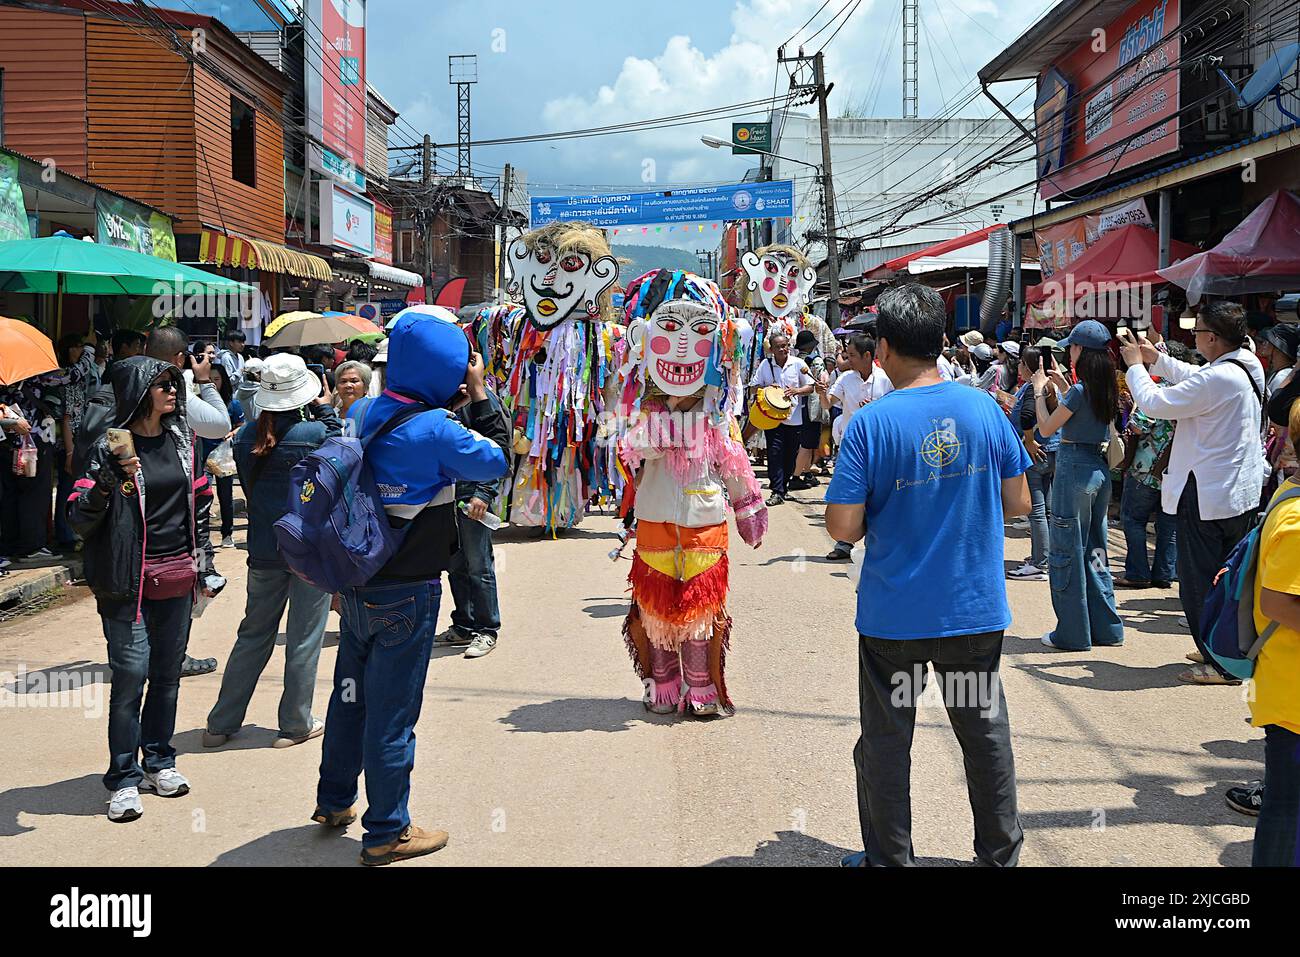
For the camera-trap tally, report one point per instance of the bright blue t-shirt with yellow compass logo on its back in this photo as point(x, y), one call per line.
point(929, 464)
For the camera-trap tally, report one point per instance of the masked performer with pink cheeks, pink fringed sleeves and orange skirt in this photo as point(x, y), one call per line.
point(683, 370)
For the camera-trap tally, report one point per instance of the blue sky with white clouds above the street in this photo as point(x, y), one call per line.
point(583, 64)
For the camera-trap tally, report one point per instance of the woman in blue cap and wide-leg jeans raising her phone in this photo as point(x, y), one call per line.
point(1082, 591)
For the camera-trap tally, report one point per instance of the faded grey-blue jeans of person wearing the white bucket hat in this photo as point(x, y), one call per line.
point(270, 591)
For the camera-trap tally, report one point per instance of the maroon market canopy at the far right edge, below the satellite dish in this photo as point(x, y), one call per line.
point(1262, 256)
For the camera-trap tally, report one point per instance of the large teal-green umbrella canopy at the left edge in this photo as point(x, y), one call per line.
point(63, 265)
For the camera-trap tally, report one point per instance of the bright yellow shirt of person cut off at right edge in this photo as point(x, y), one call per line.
point(1277, 672)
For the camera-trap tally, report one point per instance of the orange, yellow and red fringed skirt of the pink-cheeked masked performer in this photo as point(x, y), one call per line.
point(679, 594)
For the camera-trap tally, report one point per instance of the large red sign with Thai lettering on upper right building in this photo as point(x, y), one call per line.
point(1133, 116)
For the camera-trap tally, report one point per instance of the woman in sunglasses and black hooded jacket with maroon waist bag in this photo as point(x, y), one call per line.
point(142, 506)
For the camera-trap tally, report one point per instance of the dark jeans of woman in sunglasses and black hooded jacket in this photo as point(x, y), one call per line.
point(146, 651)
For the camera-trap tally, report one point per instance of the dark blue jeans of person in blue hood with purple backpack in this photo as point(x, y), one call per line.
point(379, 686)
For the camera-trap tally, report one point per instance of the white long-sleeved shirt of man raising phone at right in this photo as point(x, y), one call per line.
point(1219, 431)
